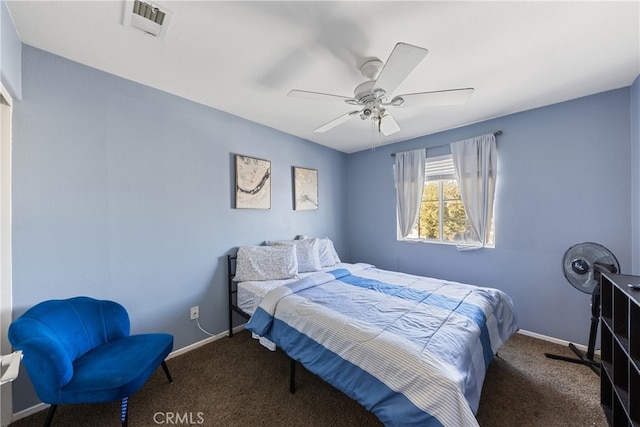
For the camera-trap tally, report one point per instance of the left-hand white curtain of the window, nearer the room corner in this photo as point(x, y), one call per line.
point(409, 177)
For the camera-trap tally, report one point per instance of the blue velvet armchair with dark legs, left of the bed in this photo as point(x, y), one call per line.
point(79, 350)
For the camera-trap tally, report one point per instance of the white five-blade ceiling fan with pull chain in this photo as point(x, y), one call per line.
point(375, 94)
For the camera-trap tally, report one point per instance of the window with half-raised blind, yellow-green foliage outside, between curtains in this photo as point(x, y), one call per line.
point(442, 218)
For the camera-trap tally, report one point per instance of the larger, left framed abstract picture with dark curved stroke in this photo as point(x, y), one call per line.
point(253, 183)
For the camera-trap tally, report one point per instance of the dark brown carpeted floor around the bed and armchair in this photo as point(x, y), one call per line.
point(236, 382)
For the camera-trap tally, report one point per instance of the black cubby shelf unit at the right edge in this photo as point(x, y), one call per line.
point(620, 350)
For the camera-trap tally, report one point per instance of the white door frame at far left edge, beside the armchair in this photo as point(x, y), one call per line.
point(6, 298)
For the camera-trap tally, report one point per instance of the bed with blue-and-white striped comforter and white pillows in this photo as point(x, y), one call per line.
point(413, 350)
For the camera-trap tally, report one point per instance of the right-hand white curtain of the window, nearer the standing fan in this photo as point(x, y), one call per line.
point(475, 165)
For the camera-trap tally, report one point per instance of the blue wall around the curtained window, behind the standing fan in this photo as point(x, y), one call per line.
point(564, 177)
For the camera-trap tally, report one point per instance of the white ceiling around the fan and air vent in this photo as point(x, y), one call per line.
point(244, 57)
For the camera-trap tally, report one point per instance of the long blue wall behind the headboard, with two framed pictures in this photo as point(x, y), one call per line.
point(125, 192)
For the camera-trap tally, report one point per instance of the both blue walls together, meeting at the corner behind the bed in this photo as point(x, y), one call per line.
point(125, 192)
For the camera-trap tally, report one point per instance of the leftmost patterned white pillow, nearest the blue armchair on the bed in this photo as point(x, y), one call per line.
point(266, 263)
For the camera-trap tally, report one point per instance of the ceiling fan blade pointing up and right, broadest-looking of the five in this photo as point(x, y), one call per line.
point(401, 62)
